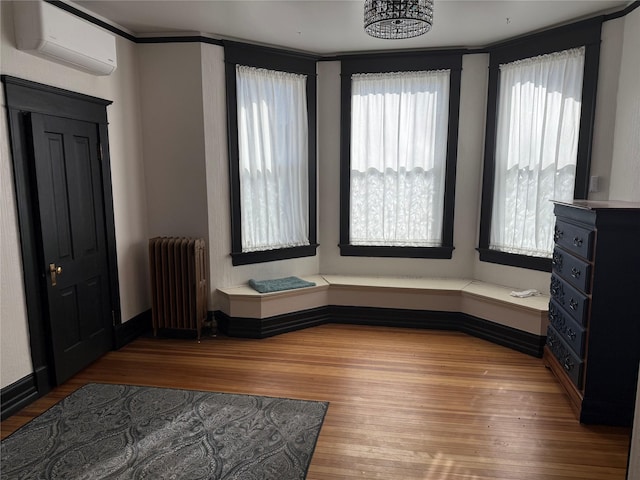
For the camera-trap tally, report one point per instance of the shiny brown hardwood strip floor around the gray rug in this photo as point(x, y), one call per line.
point(404, 404)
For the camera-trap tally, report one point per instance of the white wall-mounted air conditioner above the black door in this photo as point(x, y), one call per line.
point(50, 32)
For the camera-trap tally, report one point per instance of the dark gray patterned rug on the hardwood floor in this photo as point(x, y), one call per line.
point(125, 432)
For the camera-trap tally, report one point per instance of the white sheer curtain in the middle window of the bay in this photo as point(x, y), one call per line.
point(399, 124)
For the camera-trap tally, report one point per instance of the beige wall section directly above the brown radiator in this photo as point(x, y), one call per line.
point(173, 138)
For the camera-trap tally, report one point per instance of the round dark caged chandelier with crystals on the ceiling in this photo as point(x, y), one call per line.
point(397, 18)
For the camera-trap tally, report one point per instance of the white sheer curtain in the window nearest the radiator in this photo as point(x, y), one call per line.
point(272, 142)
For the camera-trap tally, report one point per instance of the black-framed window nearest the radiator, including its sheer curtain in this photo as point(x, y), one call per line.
point(271, 115)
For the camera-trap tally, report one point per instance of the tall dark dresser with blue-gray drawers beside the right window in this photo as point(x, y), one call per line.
point(593, 338)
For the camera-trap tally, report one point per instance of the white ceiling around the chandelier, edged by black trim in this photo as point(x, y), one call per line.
point(329, 27)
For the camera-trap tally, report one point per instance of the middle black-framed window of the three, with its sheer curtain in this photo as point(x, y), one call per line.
point(398, 156)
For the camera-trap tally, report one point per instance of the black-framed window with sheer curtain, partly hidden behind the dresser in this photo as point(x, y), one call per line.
point(539, 147)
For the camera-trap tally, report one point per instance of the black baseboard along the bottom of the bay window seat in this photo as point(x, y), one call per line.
point(386, 317)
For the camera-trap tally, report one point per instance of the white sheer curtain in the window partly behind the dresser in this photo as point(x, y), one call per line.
point(536, 149)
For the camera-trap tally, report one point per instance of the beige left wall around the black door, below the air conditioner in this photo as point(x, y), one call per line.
point(130, 201)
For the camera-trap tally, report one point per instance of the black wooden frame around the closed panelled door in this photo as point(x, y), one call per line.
point(23, 97)
